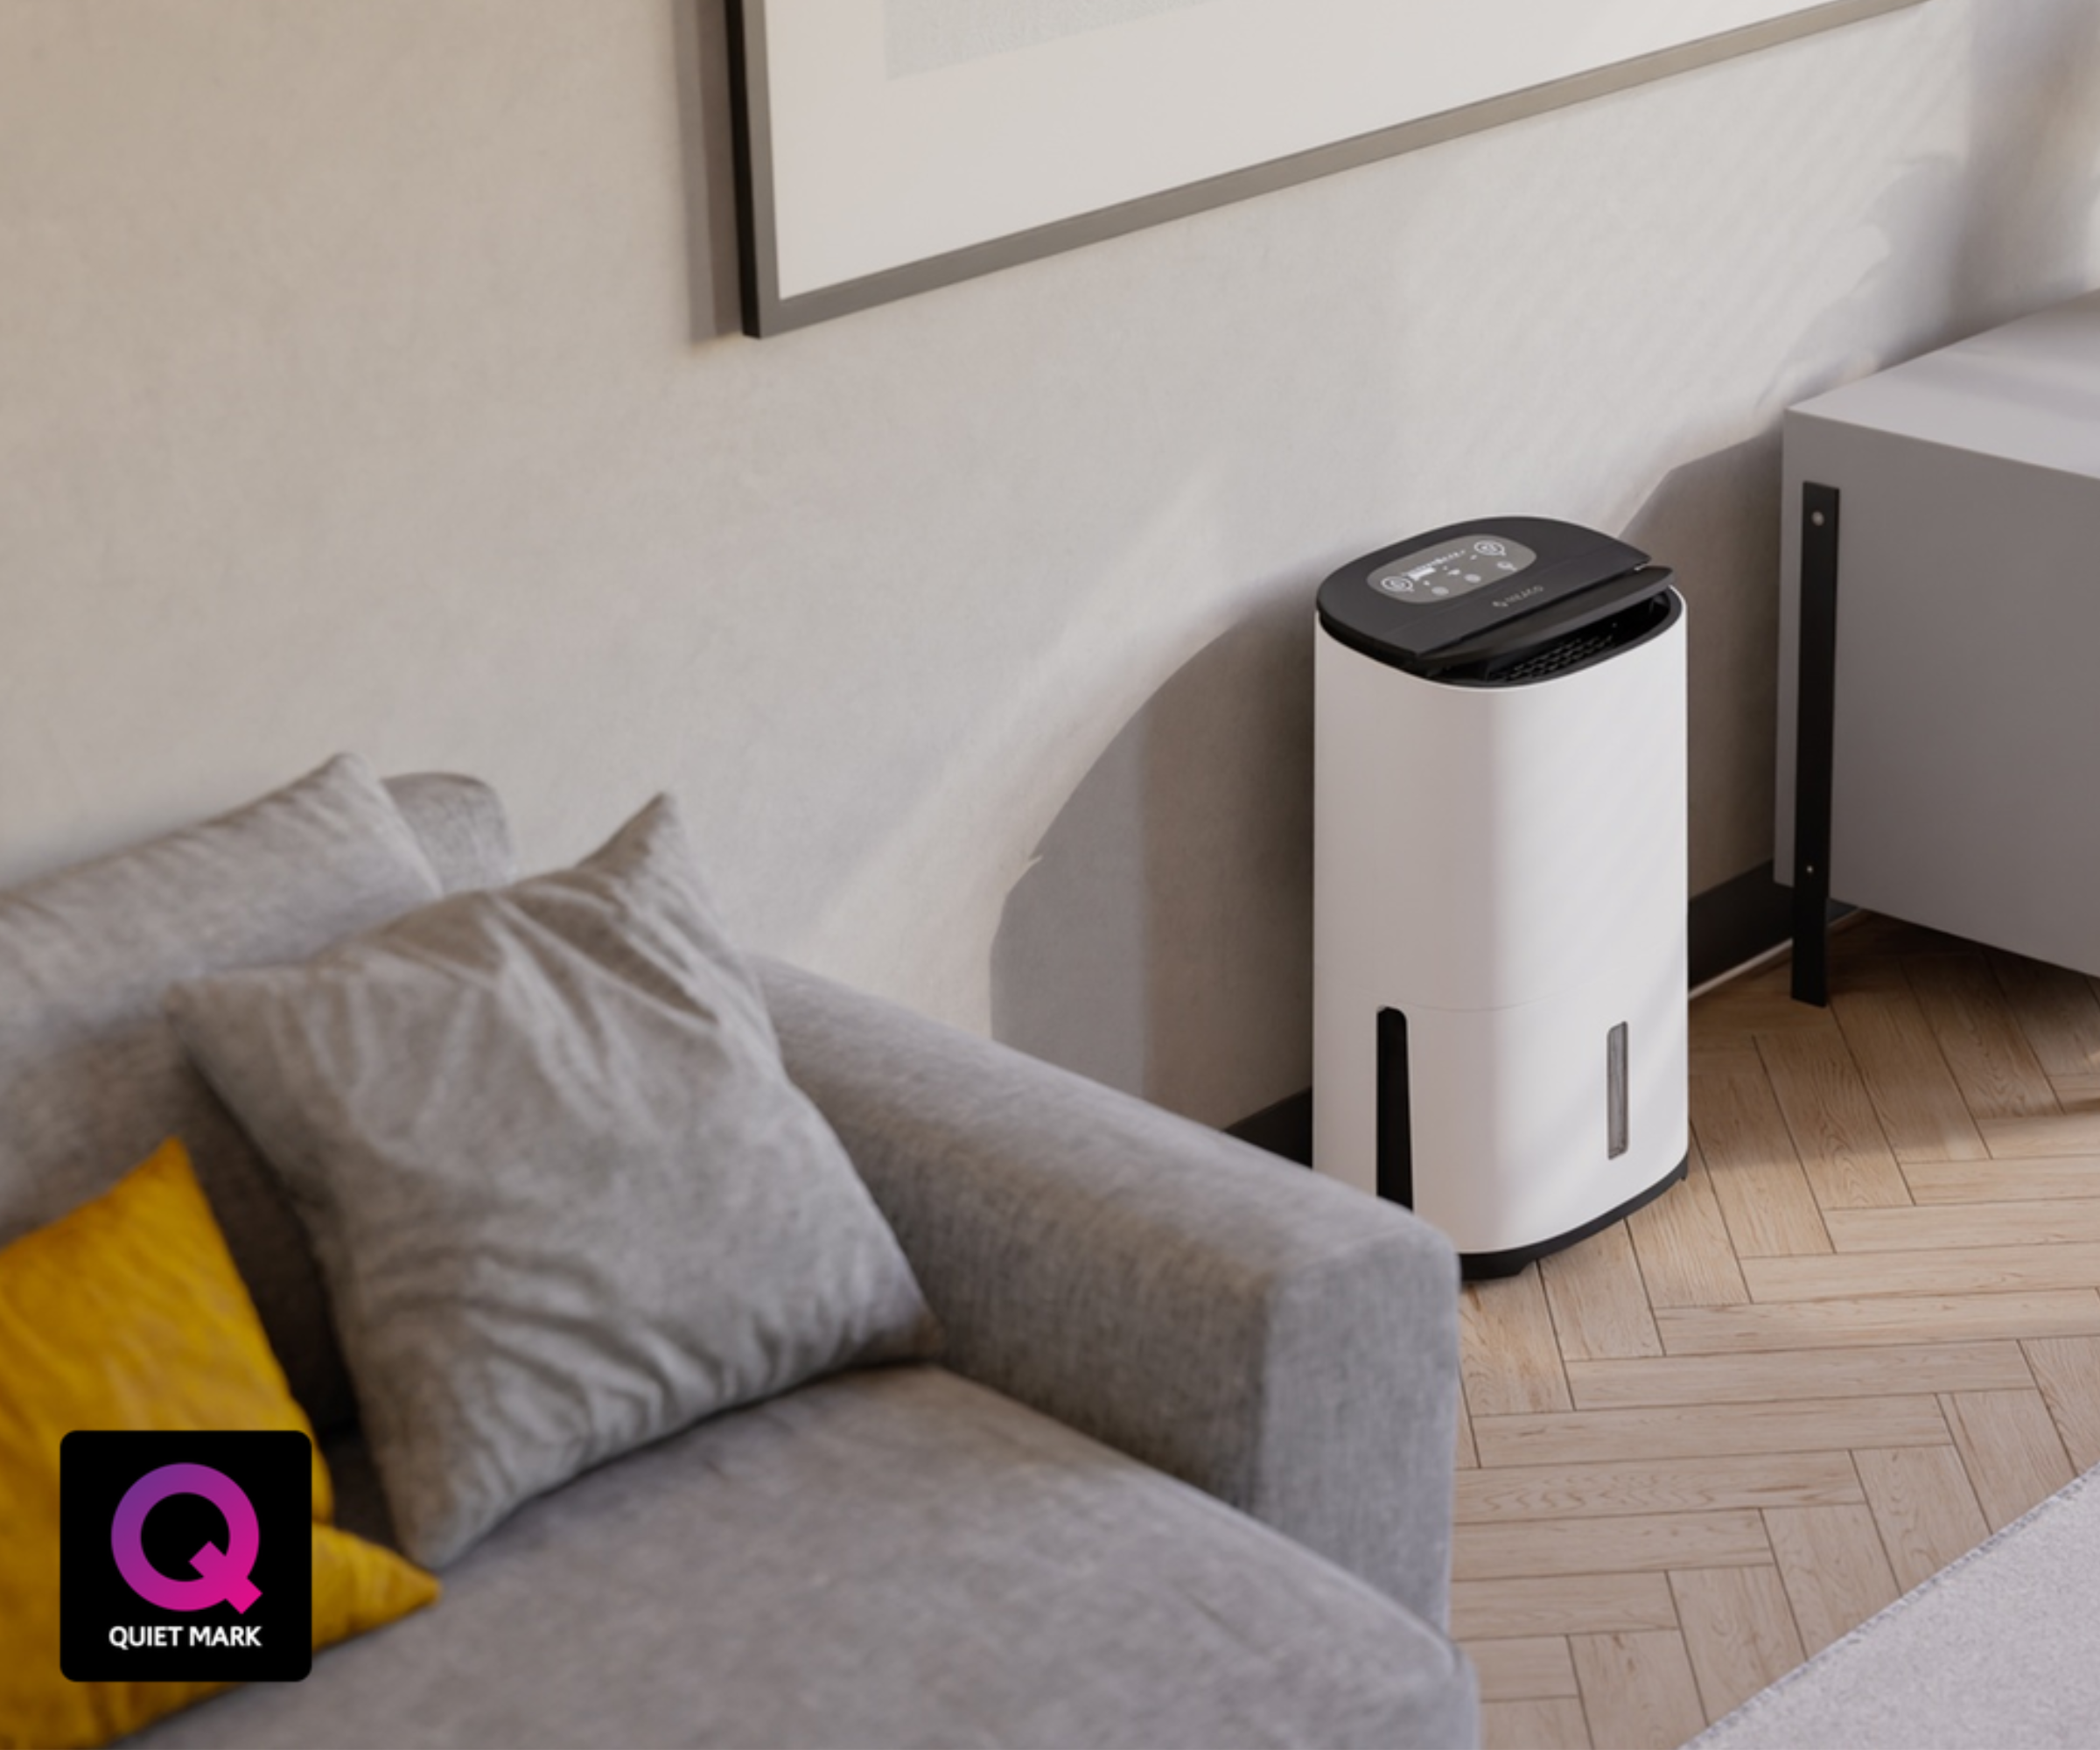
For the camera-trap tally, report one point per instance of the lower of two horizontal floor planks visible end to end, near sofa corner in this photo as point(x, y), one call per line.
point(1809, 1425)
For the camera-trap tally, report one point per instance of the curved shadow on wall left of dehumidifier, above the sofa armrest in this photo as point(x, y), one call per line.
point(1162, 936)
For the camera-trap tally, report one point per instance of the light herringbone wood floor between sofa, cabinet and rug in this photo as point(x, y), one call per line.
point(1855, 1341)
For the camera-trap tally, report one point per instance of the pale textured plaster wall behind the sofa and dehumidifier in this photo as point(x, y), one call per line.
point(350, 398)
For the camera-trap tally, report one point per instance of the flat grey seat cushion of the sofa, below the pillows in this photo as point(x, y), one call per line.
point(879, 1560)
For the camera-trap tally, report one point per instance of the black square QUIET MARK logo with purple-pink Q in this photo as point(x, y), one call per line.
point(186, 1558)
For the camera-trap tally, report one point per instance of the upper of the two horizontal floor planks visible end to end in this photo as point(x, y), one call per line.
point(1874, 1371)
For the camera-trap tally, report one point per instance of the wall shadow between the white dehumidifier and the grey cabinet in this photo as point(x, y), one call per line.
point(1717, 524)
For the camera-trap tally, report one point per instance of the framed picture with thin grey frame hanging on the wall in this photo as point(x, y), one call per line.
point(891, 146)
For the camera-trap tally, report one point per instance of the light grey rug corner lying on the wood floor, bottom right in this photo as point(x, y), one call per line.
point(2000, 1650)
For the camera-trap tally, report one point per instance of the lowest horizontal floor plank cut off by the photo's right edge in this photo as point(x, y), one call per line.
point(1847, 1322)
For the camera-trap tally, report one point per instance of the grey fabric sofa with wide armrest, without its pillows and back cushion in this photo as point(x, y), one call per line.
point(1183, 1476)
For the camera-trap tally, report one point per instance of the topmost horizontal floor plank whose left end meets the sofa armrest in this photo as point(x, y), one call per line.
point(1658, 1486)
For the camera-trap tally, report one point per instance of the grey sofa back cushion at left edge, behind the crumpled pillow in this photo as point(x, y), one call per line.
point(91, 1077)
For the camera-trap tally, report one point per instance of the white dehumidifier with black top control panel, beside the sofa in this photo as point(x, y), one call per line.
point(1500, 883)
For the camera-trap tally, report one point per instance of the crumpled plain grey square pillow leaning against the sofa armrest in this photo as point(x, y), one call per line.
point(562, 1190)
